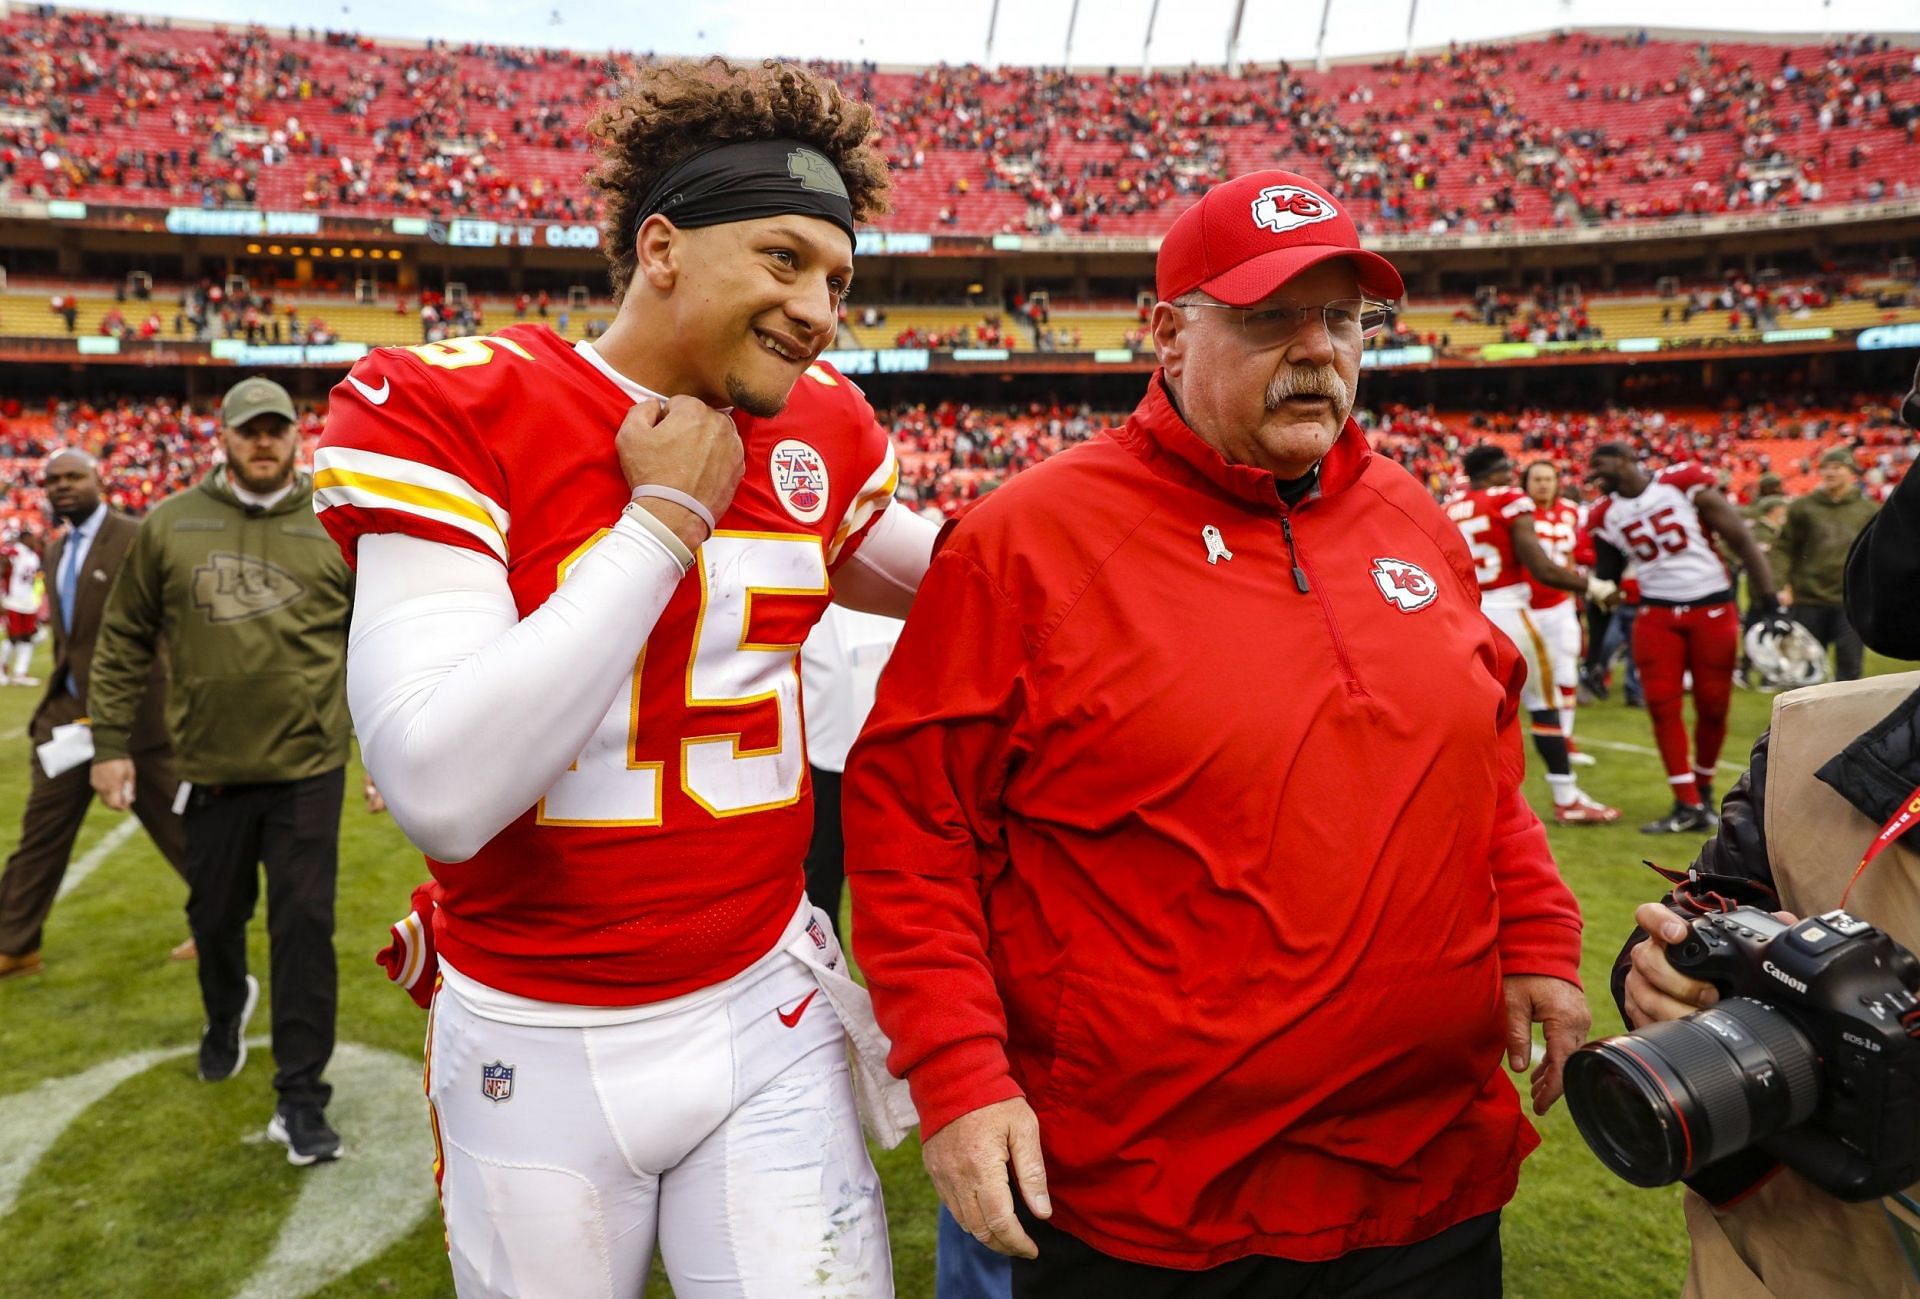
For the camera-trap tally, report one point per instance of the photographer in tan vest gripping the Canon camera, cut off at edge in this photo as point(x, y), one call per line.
point(1835, 768)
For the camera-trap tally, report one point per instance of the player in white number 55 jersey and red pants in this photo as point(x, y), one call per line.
point(1689, 621)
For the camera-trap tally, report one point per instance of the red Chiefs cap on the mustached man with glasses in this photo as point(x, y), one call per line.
point(1255, 233)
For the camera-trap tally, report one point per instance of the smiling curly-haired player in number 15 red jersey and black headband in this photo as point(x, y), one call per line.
point(585, 579)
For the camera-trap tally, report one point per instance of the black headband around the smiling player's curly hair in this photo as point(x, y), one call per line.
point(748, 181)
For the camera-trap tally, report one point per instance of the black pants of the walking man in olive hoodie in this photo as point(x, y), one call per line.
point(295, 830)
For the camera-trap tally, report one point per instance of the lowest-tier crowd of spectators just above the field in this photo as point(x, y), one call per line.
point(951, 454)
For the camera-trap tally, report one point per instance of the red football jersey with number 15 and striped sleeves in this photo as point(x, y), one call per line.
point(671, 855)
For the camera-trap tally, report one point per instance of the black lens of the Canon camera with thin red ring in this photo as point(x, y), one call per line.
point(1666, 1102)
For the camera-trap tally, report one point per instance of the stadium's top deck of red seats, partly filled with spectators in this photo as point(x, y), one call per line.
point(1547, 133)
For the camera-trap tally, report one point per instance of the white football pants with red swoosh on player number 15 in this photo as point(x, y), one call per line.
point(727, 1129)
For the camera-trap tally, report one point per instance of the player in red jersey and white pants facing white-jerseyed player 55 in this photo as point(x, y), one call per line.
point(1499, 523)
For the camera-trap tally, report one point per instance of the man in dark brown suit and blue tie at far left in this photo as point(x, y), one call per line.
point(80, 573)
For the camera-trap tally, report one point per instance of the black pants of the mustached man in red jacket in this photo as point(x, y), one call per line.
point(1458, 1264)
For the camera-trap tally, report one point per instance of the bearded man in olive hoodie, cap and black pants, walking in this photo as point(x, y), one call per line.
point(252, 602)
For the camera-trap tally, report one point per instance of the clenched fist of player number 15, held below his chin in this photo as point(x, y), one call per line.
point(690, 448)
